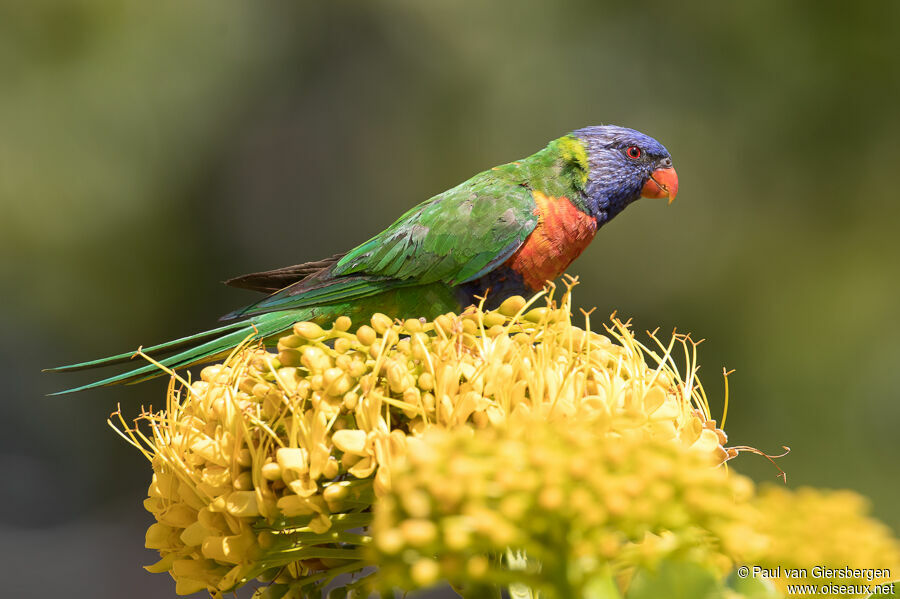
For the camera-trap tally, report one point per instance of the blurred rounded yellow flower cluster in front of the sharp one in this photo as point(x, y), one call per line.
point(581, 506)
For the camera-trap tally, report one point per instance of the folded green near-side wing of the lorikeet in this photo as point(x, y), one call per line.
point(454, 237)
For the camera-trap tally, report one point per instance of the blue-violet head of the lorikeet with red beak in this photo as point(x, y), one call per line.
point(623, 165)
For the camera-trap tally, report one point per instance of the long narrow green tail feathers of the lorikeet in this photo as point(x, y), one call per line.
point(194, 349)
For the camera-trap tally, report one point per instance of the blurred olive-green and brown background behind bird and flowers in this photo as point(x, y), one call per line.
point(149, 150)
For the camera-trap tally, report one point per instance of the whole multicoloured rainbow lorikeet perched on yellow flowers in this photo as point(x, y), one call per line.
point(505, 231)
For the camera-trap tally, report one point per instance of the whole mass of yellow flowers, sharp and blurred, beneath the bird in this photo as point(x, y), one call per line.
point(489, 448)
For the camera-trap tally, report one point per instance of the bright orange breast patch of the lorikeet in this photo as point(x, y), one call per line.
point(563, 232)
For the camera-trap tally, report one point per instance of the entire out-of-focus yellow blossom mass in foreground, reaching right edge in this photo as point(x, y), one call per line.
point(590, 509)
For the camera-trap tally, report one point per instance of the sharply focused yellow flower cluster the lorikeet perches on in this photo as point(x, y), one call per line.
point(268, 465)
